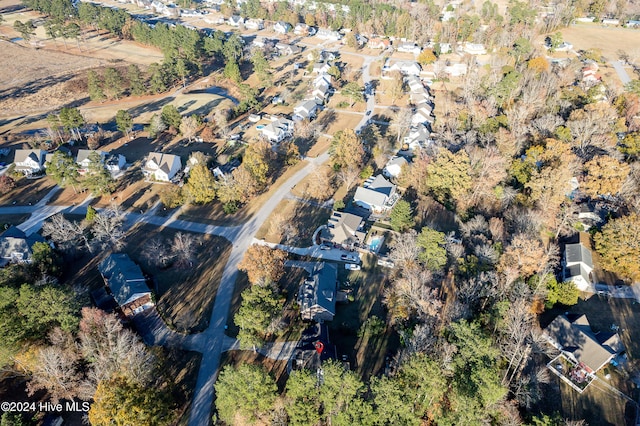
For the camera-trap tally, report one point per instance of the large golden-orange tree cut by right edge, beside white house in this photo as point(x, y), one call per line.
point(619, 246)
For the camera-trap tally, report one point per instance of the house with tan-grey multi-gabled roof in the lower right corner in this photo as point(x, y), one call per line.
point(573, 336)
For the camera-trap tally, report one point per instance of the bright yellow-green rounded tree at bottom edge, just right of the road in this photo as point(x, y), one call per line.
point(247, 391)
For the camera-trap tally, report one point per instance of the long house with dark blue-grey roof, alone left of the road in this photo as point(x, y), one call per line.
point(126, 283)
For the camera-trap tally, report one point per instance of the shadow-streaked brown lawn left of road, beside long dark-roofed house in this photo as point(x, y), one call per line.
point(185, 295)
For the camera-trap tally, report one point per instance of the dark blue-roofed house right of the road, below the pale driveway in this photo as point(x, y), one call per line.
point(317, 294)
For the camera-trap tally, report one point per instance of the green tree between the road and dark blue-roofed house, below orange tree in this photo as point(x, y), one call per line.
point(259, 307)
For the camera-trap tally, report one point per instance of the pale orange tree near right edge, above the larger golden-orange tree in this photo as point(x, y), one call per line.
point(605, 176)
